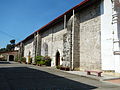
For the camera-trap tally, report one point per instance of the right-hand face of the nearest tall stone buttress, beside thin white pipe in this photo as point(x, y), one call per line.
point(76, 41)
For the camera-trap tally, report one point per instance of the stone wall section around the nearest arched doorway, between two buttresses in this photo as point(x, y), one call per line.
point(52, 41)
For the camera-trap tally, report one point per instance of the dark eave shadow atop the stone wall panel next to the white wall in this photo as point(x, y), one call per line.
point(91, 12)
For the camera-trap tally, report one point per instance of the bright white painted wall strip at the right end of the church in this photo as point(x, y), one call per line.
point(107, 56)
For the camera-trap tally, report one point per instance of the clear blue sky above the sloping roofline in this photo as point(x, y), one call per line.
point(20, 18)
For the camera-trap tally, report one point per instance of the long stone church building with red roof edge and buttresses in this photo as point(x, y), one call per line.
point(86, 37)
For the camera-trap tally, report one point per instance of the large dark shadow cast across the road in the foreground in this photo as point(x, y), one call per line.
point(23, 78)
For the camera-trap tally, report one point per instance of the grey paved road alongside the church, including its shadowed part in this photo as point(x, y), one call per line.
point(14, 76)
